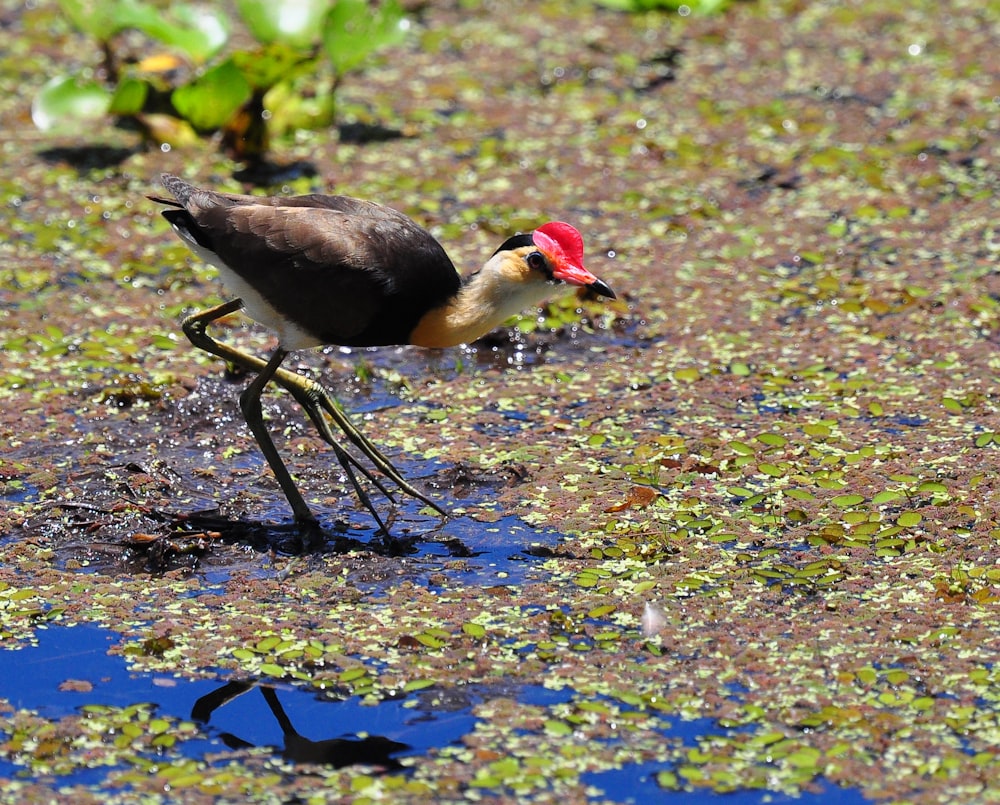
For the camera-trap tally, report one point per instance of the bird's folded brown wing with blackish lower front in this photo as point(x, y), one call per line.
point(348, 271)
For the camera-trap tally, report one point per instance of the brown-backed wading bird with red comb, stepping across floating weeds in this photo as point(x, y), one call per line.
point(337, 270)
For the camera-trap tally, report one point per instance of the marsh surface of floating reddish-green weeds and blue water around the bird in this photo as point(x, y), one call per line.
point(735, 534)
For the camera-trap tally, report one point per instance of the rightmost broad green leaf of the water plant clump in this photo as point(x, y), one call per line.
point(353, 31)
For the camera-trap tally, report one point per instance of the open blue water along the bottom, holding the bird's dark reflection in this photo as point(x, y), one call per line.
point(301, 724)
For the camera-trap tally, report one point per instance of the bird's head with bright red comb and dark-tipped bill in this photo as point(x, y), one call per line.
point(553, 253)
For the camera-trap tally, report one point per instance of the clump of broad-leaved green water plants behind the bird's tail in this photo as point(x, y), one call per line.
point(284, 81)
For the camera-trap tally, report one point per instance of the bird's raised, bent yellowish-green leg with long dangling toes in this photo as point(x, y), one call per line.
point(314, 399)
